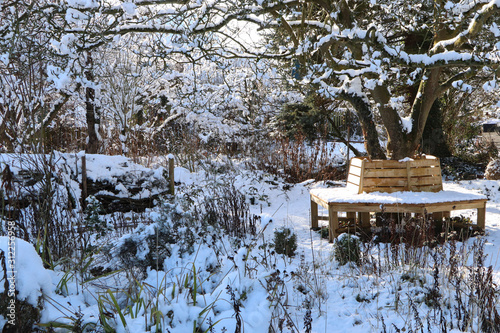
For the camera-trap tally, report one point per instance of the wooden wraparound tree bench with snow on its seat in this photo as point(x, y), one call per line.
point(407, 186)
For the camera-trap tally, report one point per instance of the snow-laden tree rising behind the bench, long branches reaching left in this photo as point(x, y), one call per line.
point(391, 60)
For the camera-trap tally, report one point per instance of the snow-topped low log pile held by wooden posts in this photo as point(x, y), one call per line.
point(119, 184)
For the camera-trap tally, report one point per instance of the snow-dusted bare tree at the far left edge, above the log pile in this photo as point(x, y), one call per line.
point(32, 88)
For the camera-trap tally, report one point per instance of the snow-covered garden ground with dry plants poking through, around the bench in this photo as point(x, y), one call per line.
point(247, 284)
